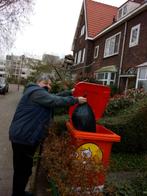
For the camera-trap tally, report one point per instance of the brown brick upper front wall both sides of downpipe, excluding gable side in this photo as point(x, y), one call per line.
point(133, 56)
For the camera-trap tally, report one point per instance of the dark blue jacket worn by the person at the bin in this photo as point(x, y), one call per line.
point(34, 111)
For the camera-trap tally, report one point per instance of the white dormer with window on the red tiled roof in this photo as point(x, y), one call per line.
point(126, 8)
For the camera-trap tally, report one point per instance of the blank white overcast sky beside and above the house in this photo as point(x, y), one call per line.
point(52, 28)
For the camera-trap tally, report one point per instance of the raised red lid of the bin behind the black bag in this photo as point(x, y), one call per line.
point(97, 97)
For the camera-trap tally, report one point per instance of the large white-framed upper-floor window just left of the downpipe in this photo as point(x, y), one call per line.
point(112, 45)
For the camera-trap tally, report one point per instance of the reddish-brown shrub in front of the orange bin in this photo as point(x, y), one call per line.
point(72, 176)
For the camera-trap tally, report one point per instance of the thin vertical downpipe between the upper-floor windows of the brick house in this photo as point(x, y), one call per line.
point(122, 55)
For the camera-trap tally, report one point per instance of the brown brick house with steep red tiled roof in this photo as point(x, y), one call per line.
point(110, 44)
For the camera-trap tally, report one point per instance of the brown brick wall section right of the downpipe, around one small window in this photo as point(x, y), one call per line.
point(138, 54)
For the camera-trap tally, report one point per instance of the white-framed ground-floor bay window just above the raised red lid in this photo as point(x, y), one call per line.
point(105, 78)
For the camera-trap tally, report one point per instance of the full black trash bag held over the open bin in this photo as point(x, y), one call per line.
point(83, 118)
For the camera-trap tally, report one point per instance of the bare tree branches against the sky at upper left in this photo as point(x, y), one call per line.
point(13, 14)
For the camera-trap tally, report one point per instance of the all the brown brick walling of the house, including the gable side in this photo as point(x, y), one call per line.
point(132, 56)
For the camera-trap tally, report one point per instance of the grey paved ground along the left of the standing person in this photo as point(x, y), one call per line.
point(8, 104)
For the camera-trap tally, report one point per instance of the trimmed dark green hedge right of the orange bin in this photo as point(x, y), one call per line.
point(131, 125)
